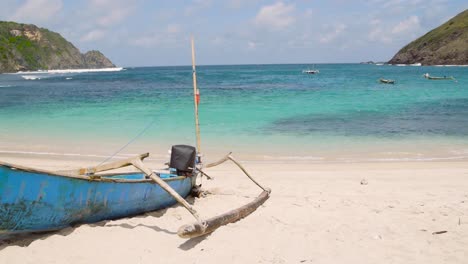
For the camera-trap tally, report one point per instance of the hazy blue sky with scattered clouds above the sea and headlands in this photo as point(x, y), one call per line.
point(156, 33)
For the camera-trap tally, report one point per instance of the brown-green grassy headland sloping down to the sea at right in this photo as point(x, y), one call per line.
point(444, 45)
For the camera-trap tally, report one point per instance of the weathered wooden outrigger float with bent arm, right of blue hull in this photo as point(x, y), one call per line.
point(209, 225)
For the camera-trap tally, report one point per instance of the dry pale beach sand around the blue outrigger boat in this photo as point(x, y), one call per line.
point(317, 213)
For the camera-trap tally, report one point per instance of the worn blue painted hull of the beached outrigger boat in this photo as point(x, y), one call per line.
point(32, 201)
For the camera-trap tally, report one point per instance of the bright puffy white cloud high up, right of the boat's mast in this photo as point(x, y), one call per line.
point(276, 17)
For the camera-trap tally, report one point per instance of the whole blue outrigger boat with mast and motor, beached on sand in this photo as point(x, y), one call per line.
point(34, 200)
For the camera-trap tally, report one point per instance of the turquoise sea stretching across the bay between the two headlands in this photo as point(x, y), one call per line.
point(258, 111)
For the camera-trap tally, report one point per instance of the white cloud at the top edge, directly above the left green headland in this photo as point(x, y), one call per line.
point(37, 11)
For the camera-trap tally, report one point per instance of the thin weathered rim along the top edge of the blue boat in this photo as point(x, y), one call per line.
point(100, 178)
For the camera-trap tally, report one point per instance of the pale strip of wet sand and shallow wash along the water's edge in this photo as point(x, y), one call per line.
point(373, 152)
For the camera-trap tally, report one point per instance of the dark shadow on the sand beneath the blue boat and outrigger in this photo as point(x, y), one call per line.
point(24, 240)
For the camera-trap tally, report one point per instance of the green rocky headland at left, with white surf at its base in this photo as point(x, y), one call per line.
point(25, 47)
